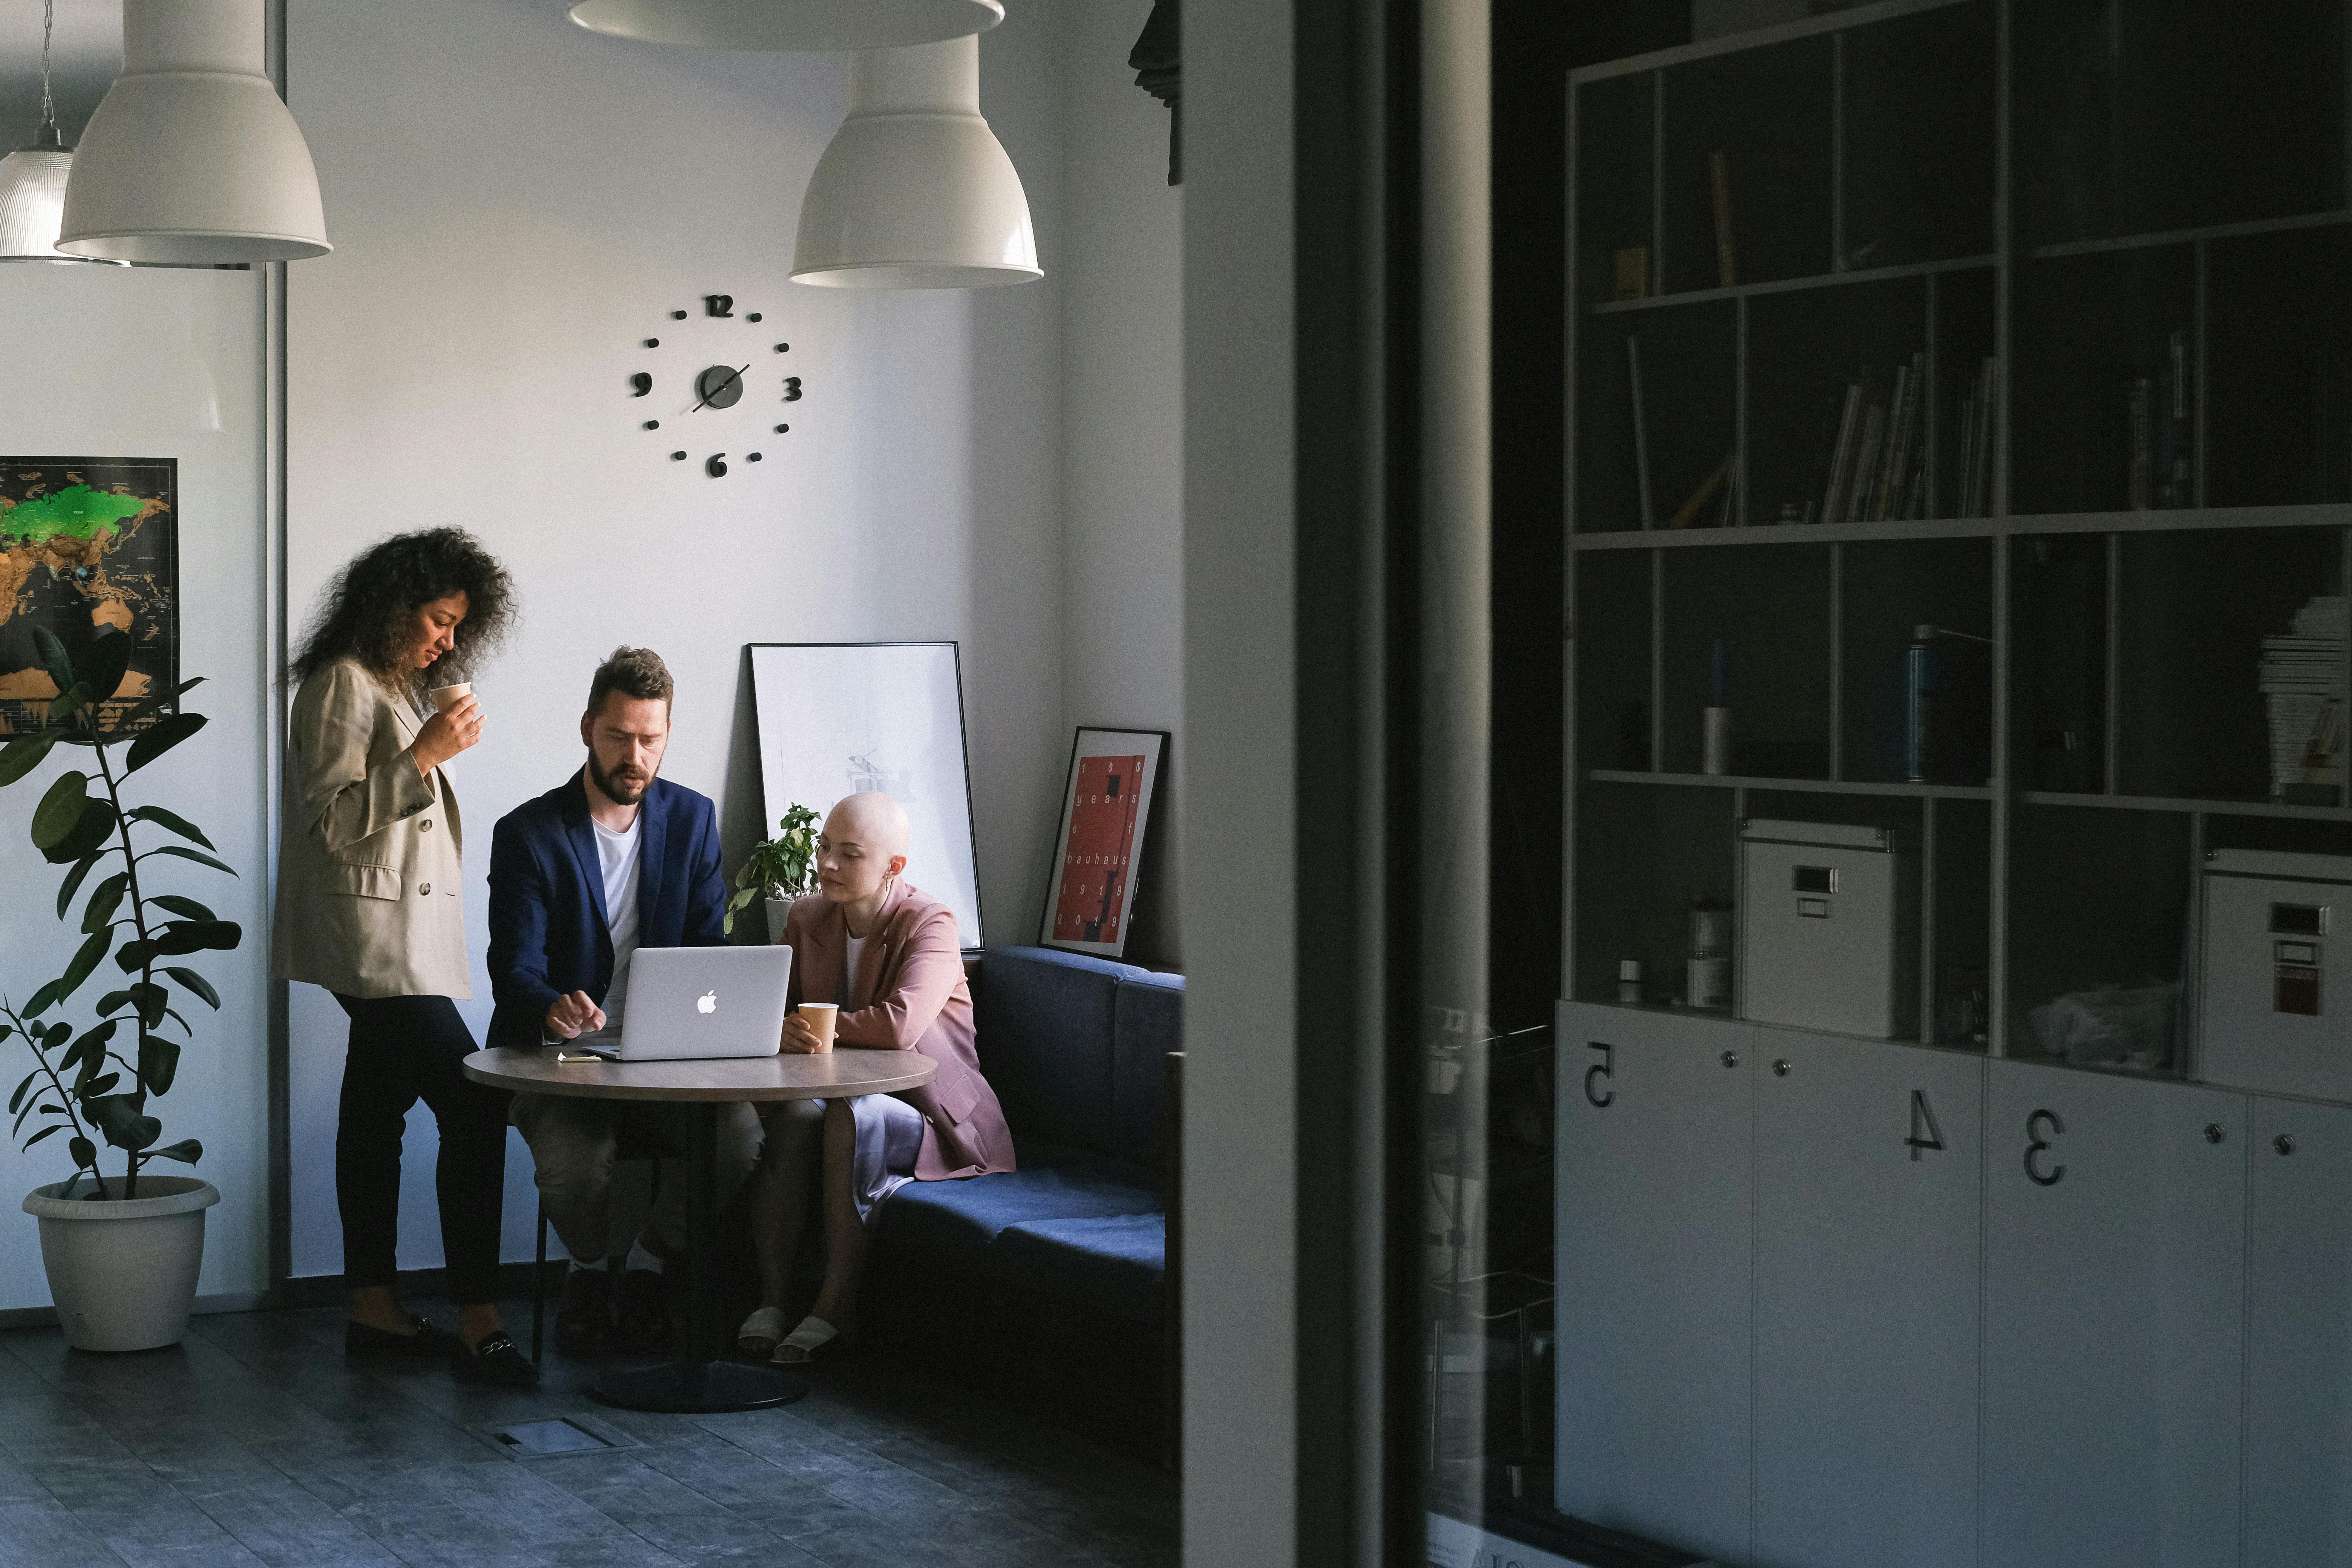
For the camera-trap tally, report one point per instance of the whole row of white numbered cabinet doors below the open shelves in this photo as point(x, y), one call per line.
point(2106, 1325)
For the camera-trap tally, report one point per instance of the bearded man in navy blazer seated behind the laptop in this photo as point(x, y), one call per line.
point(610, 862)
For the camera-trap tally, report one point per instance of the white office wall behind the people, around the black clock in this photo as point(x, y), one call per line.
point(516, 203)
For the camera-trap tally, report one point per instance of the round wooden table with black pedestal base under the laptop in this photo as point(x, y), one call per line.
point(704, 1383)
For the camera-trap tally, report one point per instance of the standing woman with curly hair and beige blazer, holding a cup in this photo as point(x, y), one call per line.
point(370, 906)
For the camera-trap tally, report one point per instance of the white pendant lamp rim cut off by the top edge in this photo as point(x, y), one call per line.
point(789, 25)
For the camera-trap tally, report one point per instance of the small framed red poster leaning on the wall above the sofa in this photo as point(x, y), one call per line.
point(1107, 812)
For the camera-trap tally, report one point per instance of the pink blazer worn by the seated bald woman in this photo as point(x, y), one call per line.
point(909, 996)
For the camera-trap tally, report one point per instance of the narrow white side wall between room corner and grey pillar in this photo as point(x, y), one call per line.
point(1123, 429)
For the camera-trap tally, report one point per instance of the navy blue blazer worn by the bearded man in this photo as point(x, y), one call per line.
point(549, 934)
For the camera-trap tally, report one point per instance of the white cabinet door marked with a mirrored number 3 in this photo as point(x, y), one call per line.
point(2116, 1245)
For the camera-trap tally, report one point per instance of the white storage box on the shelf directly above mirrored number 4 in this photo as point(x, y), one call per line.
point(1829, 927)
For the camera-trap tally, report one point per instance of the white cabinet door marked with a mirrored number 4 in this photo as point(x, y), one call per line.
point(1866, 1304)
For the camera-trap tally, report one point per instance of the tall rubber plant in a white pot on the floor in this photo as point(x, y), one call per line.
point(121, 1249)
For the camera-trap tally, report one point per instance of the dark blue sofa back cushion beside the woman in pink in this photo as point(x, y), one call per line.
point(1045, 1028)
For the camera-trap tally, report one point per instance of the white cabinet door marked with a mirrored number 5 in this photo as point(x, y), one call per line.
point(1657, 1228)
